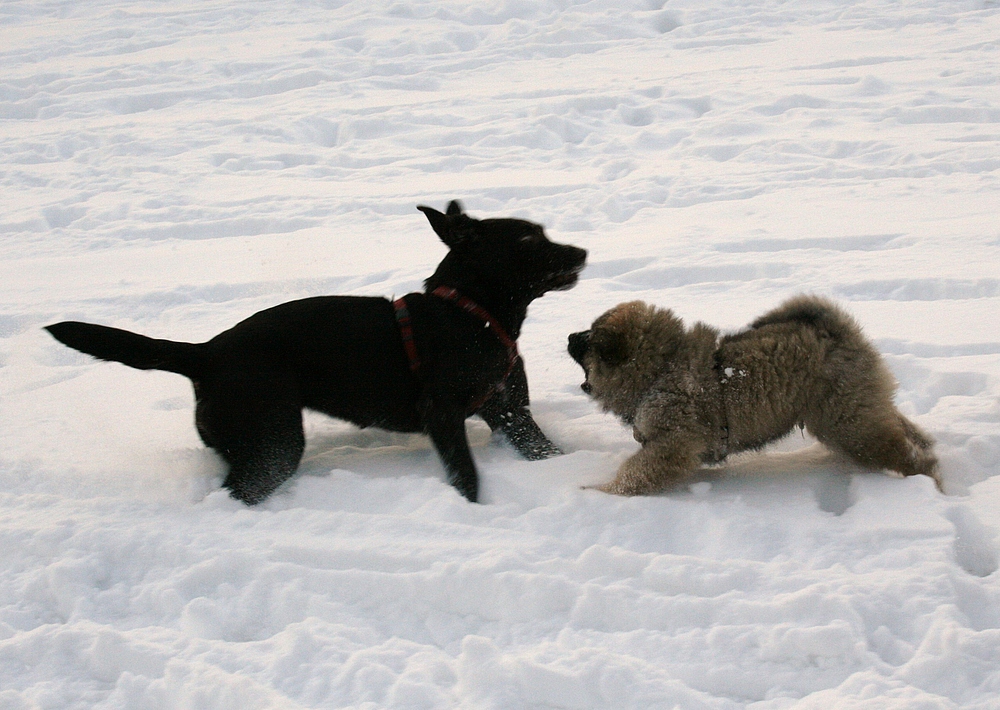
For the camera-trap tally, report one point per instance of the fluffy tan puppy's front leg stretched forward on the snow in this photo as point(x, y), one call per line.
point(659, 465)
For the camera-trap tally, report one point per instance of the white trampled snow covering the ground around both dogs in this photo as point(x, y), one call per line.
point(172, 167)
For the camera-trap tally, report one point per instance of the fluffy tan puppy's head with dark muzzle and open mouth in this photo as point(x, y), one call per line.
point(623, 353)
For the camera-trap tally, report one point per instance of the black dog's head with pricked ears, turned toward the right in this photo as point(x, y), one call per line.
point(510, 259)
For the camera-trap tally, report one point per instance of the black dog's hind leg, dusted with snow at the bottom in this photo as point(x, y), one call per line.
point(257, 428)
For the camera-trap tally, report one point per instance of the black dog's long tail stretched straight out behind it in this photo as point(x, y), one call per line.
point(131, 349)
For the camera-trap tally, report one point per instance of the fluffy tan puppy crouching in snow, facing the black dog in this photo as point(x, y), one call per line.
point(693, 397)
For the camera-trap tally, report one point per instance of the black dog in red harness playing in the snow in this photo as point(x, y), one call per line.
point(422, 364)
